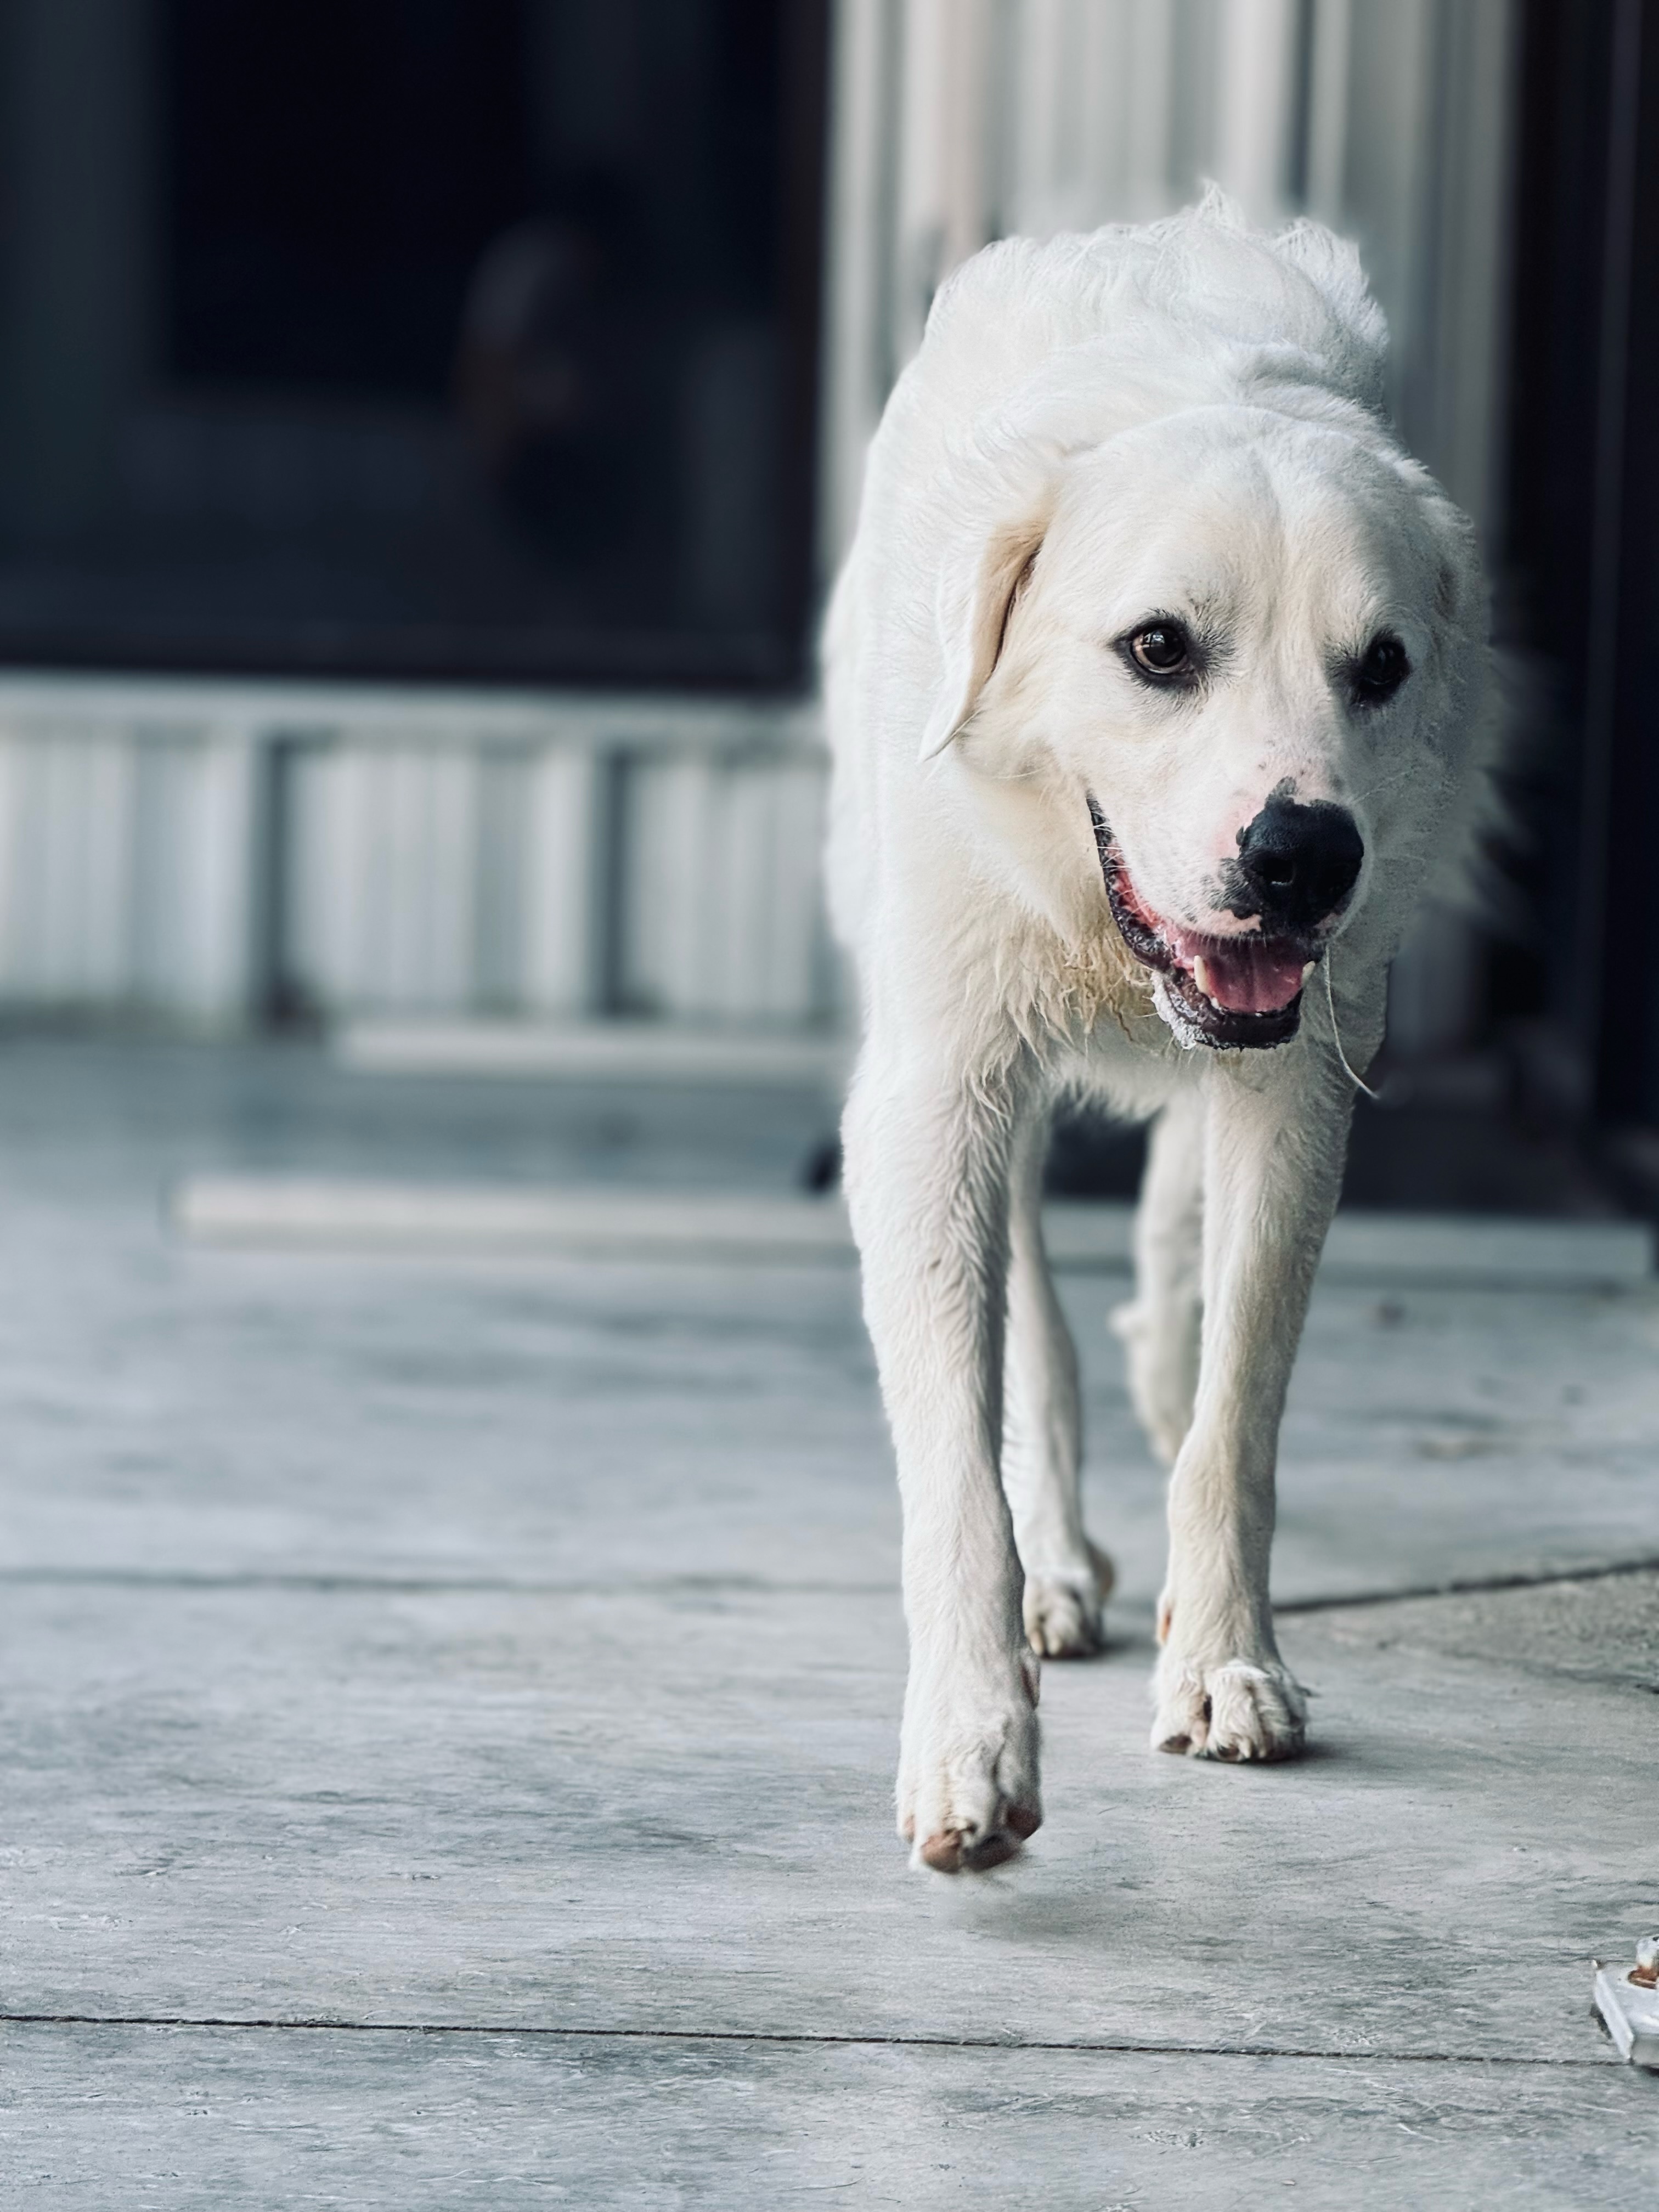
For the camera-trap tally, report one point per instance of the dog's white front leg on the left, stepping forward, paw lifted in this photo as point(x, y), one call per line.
point(928, 1185)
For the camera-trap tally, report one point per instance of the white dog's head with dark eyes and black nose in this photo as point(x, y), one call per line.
point(1249, 643)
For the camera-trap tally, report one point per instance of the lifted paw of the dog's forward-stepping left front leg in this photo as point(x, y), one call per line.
point(968, 1780)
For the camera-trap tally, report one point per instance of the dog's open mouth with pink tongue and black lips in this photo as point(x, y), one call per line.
point(1242, 992)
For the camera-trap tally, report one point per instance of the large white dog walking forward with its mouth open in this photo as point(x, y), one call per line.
point(1158, 696)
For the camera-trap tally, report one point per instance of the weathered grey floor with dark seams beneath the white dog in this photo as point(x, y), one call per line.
point(448, 1715)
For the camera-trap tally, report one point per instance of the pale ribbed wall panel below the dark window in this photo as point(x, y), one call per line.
point(213, 851)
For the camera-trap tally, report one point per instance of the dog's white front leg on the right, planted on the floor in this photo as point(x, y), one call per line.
point(1275, 1140)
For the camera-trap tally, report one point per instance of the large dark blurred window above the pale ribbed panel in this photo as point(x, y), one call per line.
point(410, 337)
